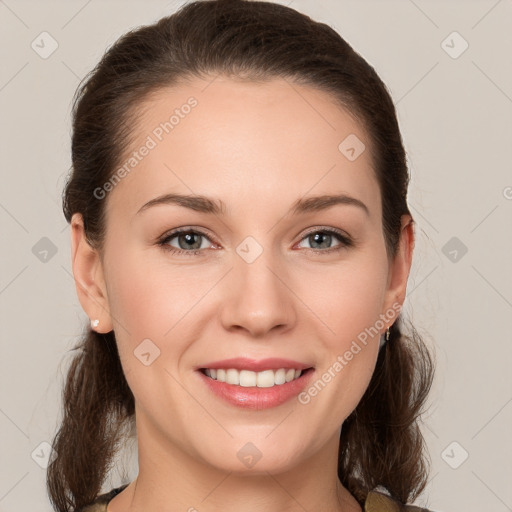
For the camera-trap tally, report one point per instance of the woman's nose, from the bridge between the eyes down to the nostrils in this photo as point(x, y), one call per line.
point(258, 298)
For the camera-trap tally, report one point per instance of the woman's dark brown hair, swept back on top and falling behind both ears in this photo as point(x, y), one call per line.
point(381, 442)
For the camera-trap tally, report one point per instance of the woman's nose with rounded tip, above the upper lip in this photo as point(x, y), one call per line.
point(258, 298)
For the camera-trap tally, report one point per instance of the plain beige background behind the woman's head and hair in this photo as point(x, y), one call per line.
point(456, 119)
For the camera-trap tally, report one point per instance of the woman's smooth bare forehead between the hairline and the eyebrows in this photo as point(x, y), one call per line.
point(243, 141)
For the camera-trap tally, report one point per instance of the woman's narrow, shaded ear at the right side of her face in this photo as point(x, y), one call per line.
point(400, 267)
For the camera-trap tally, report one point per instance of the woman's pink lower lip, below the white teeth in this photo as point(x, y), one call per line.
point(258, 398)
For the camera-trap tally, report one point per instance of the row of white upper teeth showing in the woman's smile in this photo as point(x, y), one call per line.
point(247, 378)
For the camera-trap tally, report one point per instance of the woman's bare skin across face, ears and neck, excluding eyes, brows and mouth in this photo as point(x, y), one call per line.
point(259, 147)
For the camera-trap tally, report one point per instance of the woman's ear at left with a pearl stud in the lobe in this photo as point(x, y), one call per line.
point(89, 278)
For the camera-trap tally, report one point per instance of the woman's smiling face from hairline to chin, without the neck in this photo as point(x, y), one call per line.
point(259, 278)
